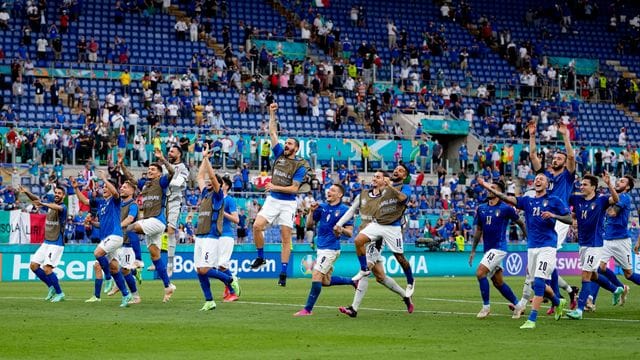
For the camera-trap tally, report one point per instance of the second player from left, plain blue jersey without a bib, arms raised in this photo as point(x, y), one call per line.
point(110, 234)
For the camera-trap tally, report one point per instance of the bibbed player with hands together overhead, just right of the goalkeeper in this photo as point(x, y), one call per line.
point(210, 227)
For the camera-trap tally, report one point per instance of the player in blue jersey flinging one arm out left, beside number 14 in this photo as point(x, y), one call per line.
point(541, 213)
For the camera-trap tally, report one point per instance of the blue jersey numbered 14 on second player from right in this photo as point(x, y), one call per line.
point(590, 217)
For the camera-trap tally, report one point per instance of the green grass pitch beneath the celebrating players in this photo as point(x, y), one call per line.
point(261, 324)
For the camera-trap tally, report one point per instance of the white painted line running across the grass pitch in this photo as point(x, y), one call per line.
point(433, 312)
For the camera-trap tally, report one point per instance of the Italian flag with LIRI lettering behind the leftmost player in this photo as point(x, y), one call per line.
point(25, 228)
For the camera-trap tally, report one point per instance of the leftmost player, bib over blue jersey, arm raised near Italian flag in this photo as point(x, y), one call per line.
point(50, 251)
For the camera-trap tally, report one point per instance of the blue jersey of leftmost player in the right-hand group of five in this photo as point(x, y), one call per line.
point(494, 221)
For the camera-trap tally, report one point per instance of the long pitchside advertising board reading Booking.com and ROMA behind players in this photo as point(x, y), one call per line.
point(77, 263)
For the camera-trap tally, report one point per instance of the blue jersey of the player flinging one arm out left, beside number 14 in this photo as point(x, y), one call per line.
point(541, 232)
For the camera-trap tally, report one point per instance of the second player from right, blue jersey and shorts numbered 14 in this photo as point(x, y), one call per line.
point(589, 211)
